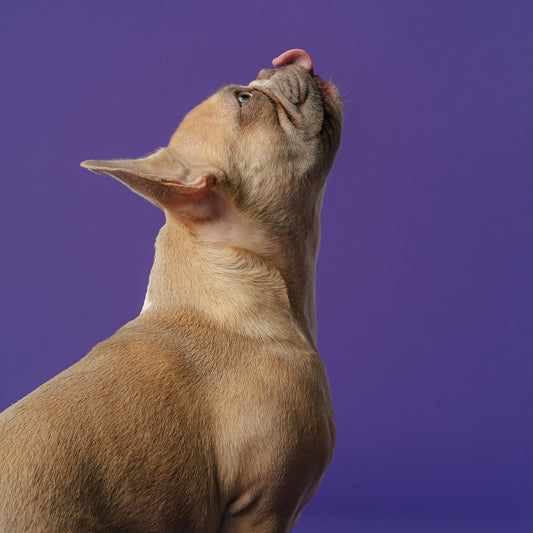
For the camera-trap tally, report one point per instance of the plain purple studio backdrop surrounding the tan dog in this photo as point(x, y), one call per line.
point(425, 284)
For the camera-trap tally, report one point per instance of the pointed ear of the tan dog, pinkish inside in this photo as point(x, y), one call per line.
point(193, 193)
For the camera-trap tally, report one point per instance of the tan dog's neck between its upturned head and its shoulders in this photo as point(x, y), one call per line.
point(230, 287)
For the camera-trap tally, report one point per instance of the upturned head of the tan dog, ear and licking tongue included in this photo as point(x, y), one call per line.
point(256, 154)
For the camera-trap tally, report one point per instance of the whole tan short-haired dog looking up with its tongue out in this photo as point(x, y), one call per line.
point(210, 411)
